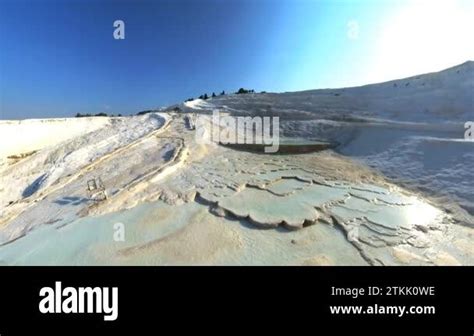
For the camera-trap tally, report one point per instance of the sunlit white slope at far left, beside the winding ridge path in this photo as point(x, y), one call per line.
point(50, 167)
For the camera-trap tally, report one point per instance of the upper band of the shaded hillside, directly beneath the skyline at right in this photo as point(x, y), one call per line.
point(445, 96)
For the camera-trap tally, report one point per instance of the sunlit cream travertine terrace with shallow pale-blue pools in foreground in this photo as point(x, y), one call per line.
point(187, 203)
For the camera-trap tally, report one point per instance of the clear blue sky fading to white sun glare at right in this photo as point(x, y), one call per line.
point(59, 58)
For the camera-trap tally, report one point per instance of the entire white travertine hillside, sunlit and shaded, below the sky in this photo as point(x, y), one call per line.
point(184, 202)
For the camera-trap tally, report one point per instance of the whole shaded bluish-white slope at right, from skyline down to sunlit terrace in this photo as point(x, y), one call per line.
point(411, 129)
